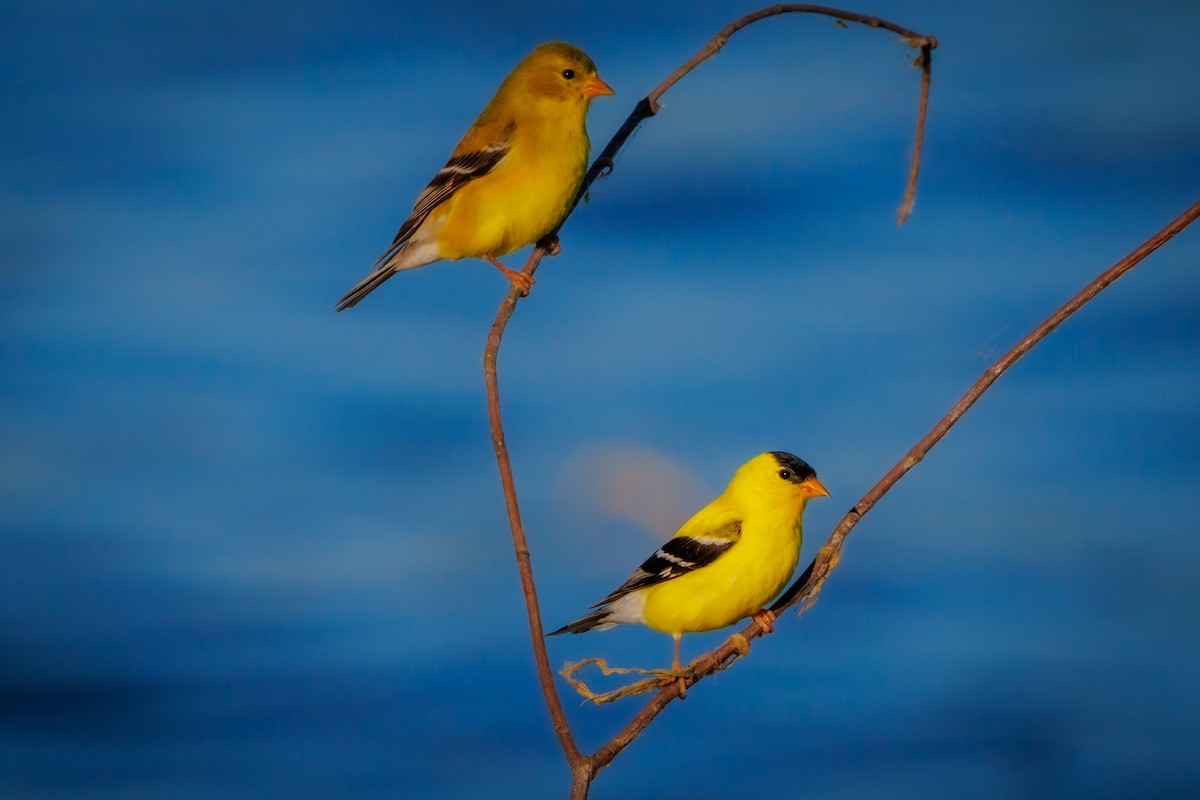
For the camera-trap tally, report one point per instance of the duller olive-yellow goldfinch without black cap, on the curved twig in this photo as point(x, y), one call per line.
point(513, 177)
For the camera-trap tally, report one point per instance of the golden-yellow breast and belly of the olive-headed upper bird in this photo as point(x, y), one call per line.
point(525, 197)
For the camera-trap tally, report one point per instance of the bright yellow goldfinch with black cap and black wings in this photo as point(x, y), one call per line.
point(725, 564)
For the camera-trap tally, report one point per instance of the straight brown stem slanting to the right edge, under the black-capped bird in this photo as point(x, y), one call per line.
point(808, 586)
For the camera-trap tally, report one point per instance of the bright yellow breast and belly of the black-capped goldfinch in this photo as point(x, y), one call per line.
point(736, 586)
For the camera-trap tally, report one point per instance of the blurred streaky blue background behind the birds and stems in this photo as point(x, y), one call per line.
point(250, 549)
